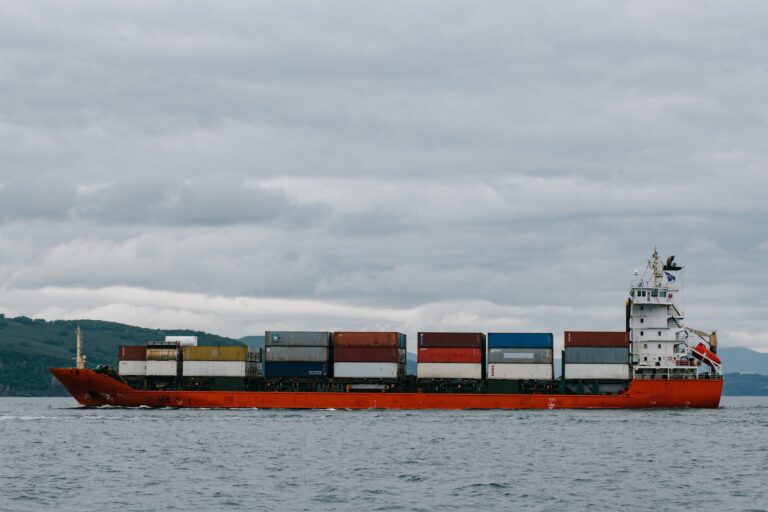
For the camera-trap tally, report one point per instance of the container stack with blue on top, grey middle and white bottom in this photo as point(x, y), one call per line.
point(520, 356)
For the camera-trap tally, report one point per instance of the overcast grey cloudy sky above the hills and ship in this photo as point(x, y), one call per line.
point(242, 166)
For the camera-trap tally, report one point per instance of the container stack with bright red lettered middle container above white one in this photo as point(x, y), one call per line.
point(450, 355)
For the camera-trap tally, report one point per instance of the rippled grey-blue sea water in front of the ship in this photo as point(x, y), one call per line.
point(55, 455)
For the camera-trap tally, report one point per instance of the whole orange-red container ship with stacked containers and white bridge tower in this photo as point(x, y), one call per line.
point(656, 361)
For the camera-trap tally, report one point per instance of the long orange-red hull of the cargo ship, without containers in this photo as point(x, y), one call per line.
point(95, 389)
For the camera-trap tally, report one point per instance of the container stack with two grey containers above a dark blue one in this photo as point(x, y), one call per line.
point(296, 353)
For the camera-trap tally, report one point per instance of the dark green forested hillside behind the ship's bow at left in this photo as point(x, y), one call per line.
point(29, 346)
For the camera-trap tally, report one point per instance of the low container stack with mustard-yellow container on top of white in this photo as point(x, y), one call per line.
point(231, 361)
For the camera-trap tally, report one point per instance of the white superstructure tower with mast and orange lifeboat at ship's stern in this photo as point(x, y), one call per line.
point(662, 347)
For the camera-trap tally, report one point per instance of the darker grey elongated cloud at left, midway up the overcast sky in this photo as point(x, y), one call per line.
point(214, 200)
